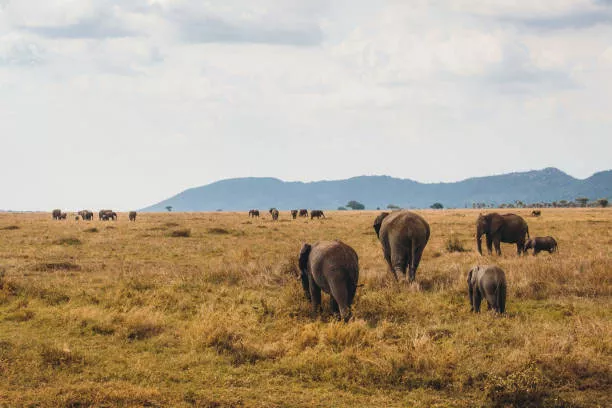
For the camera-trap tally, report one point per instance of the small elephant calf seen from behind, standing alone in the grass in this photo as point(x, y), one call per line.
point(487, 282)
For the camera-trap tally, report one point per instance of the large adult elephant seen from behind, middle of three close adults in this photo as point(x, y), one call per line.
point(403, 235)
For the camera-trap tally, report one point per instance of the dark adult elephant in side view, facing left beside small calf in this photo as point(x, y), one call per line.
point(508, 228)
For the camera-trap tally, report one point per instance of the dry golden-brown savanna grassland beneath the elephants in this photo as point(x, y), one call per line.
point(204, 309)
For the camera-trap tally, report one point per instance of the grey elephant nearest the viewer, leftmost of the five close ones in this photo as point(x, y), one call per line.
point(331, 266)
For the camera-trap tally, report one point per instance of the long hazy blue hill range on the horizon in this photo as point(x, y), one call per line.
point(241, 194)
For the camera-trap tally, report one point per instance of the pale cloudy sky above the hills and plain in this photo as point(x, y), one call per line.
point(122, 103)
